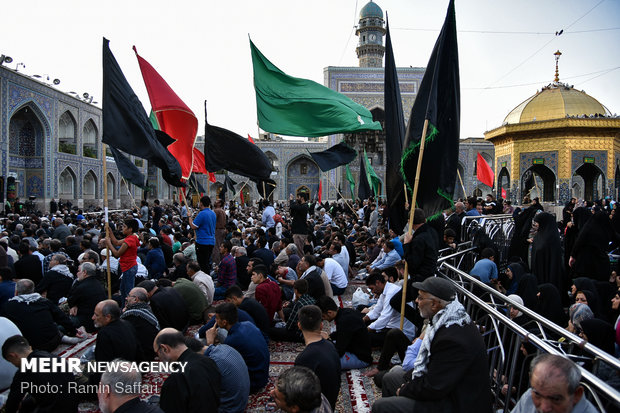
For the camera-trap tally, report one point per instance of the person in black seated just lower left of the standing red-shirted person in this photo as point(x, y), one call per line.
point(85, 294)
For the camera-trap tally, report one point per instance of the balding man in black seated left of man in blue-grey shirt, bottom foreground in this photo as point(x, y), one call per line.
point(194, 390)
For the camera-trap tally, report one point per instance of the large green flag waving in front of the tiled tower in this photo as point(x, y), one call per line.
point(300, 107)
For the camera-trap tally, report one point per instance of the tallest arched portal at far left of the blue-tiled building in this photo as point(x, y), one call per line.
point(26, 150)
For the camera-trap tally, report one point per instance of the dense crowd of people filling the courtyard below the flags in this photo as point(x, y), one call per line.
point(248, 275)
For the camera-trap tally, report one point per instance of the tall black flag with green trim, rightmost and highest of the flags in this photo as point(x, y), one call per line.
point(439, 101)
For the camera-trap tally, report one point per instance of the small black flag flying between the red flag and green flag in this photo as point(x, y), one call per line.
point(227, 150)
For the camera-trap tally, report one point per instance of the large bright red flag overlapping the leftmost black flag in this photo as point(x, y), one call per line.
point(174, 117)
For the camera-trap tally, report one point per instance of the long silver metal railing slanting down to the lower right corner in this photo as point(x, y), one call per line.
point(504, 338)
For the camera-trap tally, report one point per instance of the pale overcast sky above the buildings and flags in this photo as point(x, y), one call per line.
point(202, 50)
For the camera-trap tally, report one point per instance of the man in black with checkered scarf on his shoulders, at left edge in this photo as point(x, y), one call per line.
point(38, 318)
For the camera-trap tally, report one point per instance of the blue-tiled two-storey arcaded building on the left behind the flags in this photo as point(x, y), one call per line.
point(50, 146)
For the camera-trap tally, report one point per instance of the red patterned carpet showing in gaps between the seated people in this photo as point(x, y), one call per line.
point(357, 393)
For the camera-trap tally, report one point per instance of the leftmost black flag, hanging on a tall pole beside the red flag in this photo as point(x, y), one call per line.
point(126, 125)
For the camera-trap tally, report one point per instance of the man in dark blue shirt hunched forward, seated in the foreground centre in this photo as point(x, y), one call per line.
point(247, 339)
